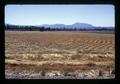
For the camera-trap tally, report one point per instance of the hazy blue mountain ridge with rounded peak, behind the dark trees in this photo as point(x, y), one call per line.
point(75, 25)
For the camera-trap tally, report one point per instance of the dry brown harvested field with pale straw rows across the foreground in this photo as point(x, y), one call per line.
point(59, 54)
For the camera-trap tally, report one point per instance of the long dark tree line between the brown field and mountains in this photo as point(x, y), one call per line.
point(36, 28)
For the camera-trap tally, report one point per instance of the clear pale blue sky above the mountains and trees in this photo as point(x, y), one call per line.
point(97, 15)
